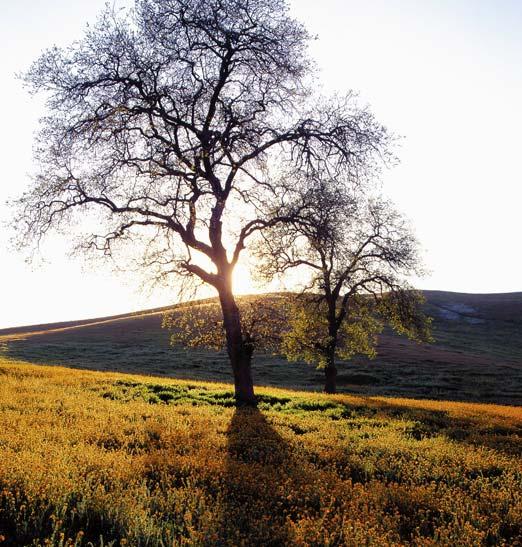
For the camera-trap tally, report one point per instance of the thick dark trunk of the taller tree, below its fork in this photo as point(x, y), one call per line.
point(239, 351)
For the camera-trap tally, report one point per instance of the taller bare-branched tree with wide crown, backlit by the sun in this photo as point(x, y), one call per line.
point(175, 121)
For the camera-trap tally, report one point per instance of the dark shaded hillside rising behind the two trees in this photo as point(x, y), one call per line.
point(477, 355)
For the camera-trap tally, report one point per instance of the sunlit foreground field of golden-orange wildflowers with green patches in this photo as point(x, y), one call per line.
point(93, 458)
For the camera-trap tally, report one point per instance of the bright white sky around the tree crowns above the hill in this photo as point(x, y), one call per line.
point(445, 74)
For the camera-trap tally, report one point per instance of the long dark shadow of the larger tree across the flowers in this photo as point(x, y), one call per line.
point(260, 472)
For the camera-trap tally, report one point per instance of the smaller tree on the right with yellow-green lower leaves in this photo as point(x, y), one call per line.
point(359, 253)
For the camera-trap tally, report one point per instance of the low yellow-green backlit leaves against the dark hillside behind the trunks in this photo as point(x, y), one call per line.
point(297, 326)
